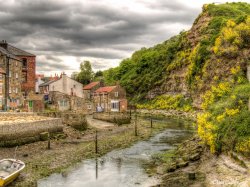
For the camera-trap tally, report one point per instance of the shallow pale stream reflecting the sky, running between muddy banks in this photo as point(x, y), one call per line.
point(121, 167)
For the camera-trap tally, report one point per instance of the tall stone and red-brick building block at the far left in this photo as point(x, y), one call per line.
point(17, 75)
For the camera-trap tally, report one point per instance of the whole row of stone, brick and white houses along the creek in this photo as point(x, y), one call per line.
point(20, 87)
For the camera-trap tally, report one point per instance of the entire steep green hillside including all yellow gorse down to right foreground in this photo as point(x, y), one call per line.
point(202, 68)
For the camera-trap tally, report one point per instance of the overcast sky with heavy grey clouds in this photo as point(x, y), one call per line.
point(63, 33)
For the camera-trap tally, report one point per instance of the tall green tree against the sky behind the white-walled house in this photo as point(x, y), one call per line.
point(86, 73)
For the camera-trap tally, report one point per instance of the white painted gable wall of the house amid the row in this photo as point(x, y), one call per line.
point(66, 85)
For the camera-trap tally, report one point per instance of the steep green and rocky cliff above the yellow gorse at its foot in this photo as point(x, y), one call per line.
point(216, 49)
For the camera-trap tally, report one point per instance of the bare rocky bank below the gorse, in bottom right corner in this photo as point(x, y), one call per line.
point(192, 164)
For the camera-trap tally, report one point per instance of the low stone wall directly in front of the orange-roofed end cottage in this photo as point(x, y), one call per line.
point(113, 117)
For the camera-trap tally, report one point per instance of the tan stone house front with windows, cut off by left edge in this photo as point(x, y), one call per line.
point(11, 95)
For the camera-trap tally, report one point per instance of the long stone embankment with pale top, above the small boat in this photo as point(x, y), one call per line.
point(22, 128)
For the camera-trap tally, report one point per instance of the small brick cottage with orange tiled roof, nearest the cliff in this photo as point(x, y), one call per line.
point(110, 99)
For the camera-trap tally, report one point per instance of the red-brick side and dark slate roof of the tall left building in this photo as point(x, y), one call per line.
point(28, 75)
